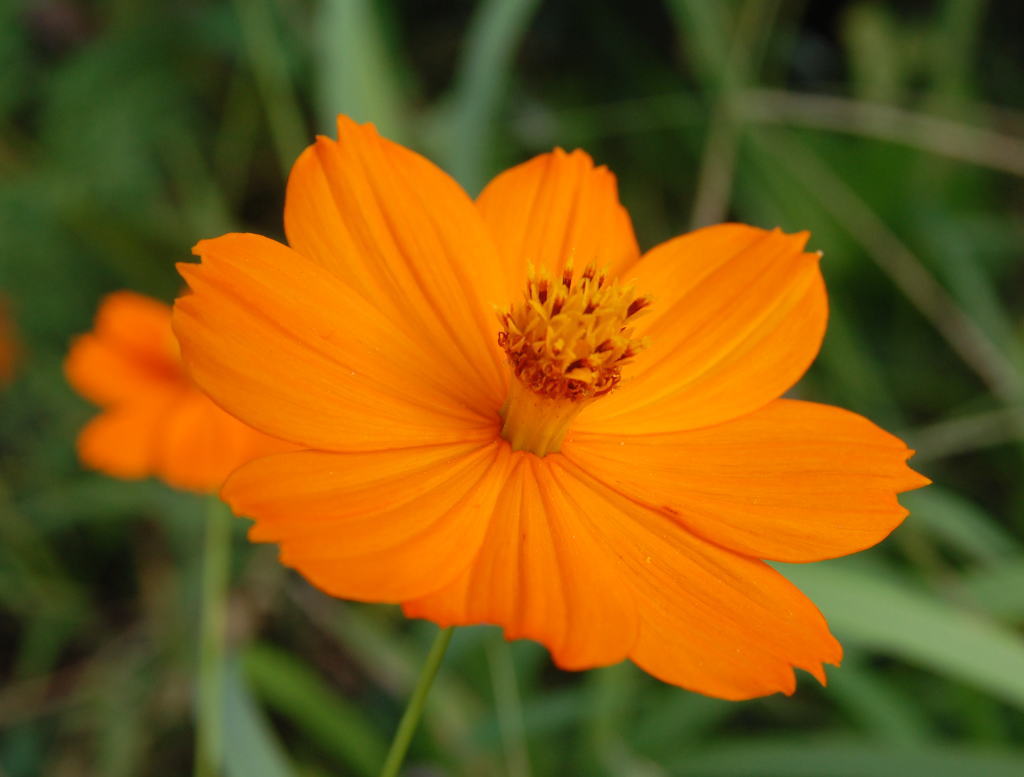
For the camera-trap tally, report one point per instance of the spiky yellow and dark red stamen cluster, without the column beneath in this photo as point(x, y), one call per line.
point(569, 339)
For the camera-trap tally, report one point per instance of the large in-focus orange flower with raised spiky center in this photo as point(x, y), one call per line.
point(603, 469)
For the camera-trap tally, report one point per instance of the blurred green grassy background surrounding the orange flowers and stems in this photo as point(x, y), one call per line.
point(893, 132)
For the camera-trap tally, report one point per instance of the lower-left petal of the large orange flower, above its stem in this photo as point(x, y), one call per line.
point(379, 527)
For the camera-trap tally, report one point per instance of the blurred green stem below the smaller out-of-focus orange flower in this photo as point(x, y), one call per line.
point(209, 718)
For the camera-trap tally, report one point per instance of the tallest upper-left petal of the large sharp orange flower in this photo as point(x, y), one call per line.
point(407, 238)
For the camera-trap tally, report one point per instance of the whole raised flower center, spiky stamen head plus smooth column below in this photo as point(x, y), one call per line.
point(567, 343)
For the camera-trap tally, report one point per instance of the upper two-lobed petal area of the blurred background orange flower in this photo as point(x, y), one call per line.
point(132, 352)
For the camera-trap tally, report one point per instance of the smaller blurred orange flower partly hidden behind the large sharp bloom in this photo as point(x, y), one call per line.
point(155, 421)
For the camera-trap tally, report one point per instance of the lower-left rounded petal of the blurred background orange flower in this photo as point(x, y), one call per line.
point(123, 442)
